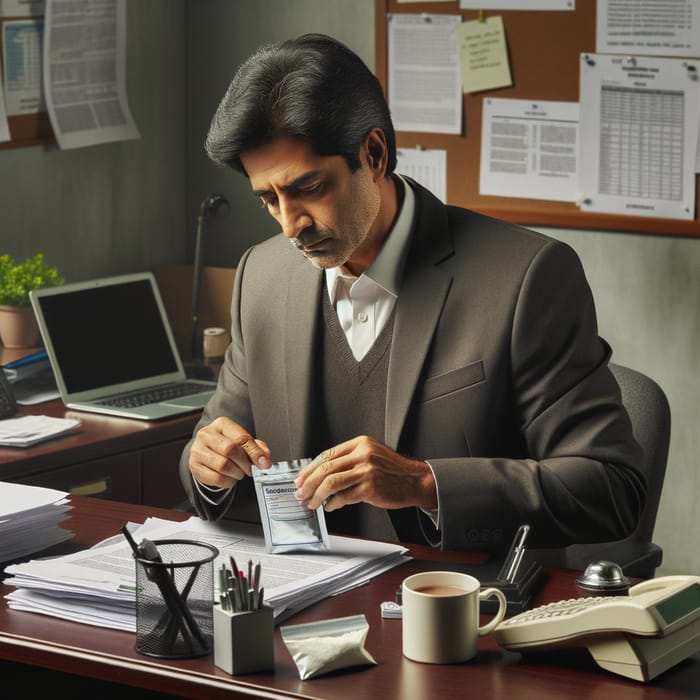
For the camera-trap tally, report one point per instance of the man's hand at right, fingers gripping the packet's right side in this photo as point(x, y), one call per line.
point(363, 469)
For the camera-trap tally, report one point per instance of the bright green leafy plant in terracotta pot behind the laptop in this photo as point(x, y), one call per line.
point(18, 327)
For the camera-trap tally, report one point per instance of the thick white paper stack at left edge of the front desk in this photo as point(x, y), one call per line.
point(29, 519)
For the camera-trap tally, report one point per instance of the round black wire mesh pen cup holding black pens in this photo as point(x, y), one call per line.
point(174, 600)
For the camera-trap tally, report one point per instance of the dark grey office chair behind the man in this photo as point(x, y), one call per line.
point(650, 414)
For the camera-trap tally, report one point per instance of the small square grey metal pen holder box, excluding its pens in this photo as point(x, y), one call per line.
point(244, 640)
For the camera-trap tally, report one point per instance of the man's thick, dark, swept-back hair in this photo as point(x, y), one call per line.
point(314, 88)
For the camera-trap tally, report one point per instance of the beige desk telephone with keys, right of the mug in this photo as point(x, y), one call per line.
point(638, 636)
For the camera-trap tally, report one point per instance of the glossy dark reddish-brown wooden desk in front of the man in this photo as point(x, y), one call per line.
point(33, 640)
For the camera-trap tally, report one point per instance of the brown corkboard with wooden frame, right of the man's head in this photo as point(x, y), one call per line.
point(544, 49)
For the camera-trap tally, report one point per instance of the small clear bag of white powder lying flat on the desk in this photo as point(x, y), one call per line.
point(328, 645)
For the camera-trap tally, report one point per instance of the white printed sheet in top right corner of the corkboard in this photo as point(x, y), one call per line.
point(649, 28)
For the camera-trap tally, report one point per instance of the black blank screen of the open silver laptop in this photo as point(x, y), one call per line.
point(107, 333)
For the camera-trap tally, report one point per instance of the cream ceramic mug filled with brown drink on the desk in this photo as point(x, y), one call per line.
point(440, 618)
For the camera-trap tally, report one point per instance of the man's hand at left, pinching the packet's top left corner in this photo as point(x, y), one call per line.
point(222, 454)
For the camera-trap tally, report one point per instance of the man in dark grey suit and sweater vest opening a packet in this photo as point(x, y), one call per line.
point(443, 368)
